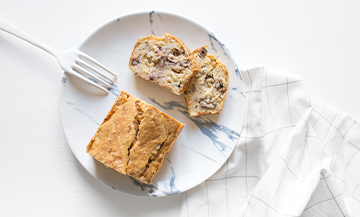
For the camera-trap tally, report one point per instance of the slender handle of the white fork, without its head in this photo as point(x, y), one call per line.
point(16, 32)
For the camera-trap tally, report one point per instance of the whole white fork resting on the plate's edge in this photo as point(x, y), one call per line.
point(71, 61)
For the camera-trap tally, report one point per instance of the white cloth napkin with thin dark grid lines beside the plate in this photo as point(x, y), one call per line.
point(295, 157)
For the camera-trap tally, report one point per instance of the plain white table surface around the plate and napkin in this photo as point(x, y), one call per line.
point(39, 175)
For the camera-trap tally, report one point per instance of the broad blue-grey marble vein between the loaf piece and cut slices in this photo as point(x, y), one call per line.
point(207, 126)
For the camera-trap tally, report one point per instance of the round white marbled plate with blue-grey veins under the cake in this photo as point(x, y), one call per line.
point(205, 143)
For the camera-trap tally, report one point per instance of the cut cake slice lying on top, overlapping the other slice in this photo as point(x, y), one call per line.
point(165, 61)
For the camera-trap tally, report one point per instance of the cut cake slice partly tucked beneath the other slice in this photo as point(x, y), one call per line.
point(208, 91)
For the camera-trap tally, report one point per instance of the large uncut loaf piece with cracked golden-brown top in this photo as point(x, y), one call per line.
point(134, 138)
